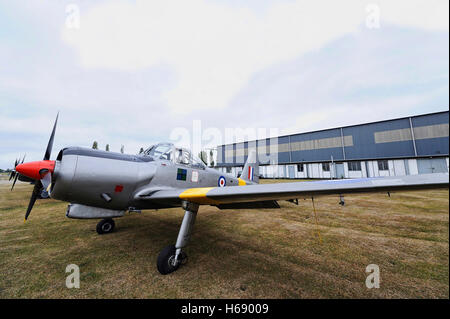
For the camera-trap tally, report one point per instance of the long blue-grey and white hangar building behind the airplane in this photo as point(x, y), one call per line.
point(403, 146)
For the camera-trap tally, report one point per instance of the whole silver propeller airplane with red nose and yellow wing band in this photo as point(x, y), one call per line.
point(104, 185)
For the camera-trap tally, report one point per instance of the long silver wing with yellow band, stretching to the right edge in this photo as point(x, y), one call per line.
point(280, 191)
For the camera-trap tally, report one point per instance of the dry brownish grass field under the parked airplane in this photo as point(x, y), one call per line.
point(233, 254)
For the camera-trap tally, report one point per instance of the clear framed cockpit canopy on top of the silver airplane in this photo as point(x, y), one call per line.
point(177, 155)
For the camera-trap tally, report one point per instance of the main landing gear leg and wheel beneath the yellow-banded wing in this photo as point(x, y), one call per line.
point(172, 256)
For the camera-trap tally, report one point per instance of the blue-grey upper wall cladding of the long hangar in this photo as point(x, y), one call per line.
point(364, 146)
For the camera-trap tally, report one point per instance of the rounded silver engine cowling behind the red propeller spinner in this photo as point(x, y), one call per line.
point(98, 178)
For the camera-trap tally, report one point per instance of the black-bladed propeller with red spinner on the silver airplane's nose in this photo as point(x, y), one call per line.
point(40, 171)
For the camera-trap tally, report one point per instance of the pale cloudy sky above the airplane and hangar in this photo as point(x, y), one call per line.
point(135, 73)
